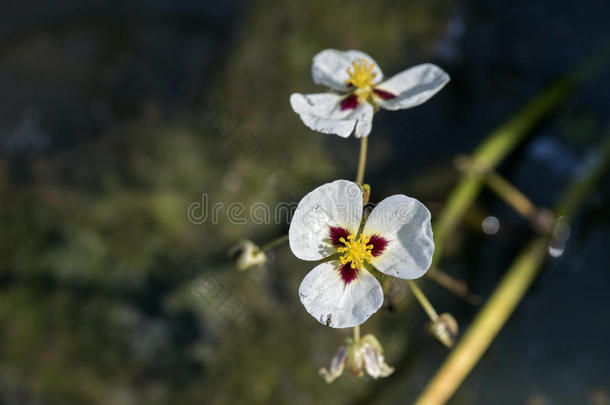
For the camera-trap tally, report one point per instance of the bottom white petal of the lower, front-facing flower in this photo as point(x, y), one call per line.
point(332, 303)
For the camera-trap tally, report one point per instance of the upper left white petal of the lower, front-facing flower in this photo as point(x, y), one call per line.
point(333, 204)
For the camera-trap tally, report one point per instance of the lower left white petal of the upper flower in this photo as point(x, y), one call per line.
point(322, 112)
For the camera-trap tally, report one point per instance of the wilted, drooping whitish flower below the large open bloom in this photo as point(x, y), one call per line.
point(366, 354)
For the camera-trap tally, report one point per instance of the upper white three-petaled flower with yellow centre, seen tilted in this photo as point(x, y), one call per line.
point(358, 92)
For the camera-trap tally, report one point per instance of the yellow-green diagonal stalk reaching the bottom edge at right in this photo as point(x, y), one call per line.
point(509, 292)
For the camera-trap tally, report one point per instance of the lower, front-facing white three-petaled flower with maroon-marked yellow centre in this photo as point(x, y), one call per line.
point(396, 239)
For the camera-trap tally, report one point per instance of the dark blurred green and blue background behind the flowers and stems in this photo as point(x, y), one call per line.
point(115, 116)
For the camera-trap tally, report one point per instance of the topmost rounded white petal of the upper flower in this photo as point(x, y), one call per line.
point(330, 66)
